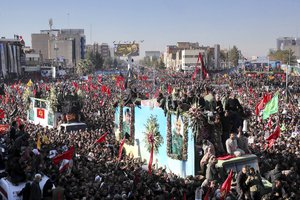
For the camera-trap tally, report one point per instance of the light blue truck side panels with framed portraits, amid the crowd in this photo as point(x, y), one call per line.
point(175, 150)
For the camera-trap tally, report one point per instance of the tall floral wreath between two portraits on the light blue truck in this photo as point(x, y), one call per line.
point(152, 134)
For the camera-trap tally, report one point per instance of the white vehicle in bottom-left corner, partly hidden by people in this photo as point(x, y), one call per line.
point(9, 191)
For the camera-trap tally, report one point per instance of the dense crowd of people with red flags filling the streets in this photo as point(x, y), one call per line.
point(95, 171)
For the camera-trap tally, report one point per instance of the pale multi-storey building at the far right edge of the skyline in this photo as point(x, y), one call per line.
point(286, 43)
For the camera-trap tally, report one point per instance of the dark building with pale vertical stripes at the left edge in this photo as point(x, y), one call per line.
point(11, 54)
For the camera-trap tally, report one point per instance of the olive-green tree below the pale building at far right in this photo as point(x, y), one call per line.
point(285, 56)
